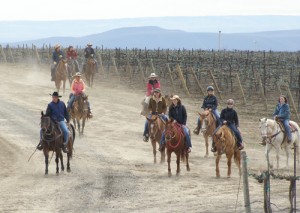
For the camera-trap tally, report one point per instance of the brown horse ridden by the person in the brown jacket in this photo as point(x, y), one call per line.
point(156, 127)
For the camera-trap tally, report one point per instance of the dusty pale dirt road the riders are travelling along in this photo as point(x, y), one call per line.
point(112, 168)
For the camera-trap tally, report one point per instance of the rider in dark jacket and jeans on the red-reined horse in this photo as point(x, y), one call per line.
point(178, 113)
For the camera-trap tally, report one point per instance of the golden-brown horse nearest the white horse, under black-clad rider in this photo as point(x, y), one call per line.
point(226, 143)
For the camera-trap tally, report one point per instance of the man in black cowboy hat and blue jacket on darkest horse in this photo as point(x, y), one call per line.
point(57, 111)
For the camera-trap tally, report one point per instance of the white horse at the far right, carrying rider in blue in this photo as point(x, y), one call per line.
point(273, 136)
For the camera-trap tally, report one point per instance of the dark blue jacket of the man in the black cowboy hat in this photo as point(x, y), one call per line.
point(57, 111)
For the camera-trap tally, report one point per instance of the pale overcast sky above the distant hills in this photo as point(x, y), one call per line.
point(114, 9)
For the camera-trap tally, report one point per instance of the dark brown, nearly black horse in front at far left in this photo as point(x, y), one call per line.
point(52, 140)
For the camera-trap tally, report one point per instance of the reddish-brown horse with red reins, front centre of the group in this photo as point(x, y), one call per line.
point(175, 142)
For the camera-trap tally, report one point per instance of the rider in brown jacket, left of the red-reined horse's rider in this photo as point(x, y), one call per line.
point(157, 106)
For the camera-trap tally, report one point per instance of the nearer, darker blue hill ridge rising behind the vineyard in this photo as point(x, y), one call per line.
point(155, 37)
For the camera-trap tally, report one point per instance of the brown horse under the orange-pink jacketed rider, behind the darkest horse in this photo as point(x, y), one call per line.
point(79, 111)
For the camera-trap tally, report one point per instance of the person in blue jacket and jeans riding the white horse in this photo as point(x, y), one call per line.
point(282, 113)
